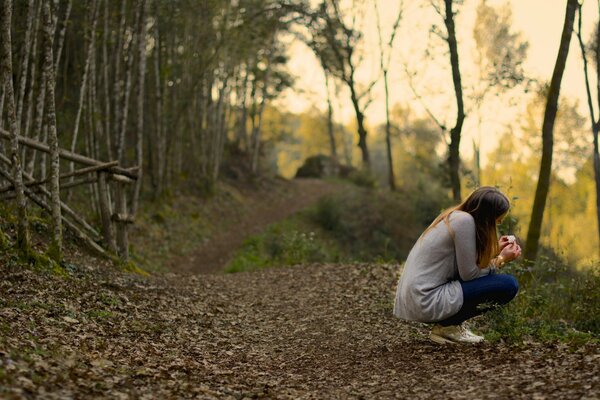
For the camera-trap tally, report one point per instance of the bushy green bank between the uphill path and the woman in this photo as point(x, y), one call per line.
point(356, 225)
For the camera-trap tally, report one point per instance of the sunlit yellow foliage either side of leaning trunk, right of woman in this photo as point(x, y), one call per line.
point(570, 209)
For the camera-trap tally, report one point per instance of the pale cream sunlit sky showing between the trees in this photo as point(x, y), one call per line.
point(539, 21)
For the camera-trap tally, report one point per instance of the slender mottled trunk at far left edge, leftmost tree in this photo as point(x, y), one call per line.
point(7, 73)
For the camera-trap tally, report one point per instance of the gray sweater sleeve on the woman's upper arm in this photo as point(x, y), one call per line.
point(463, 226)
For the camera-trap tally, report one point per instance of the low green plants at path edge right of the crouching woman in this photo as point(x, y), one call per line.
point(558, 304)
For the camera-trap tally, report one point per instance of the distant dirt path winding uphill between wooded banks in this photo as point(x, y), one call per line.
point(257, 212)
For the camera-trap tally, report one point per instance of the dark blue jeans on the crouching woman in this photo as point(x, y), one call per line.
point(482, 294)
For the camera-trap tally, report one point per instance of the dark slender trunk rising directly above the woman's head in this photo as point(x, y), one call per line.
point(455, 133)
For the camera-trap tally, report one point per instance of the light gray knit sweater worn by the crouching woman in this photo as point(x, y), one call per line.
point(428, 289)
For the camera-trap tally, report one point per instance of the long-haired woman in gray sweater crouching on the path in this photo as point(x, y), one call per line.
point(450, 273)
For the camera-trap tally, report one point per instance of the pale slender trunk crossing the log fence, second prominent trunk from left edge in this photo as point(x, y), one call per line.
point(50, 114)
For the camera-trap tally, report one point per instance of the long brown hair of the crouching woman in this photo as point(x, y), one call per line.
point(486, 204)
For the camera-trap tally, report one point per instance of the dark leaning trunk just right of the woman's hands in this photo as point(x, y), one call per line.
point(543, 185)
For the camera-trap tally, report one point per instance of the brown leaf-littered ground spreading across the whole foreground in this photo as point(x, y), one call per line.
point(298, 332)
